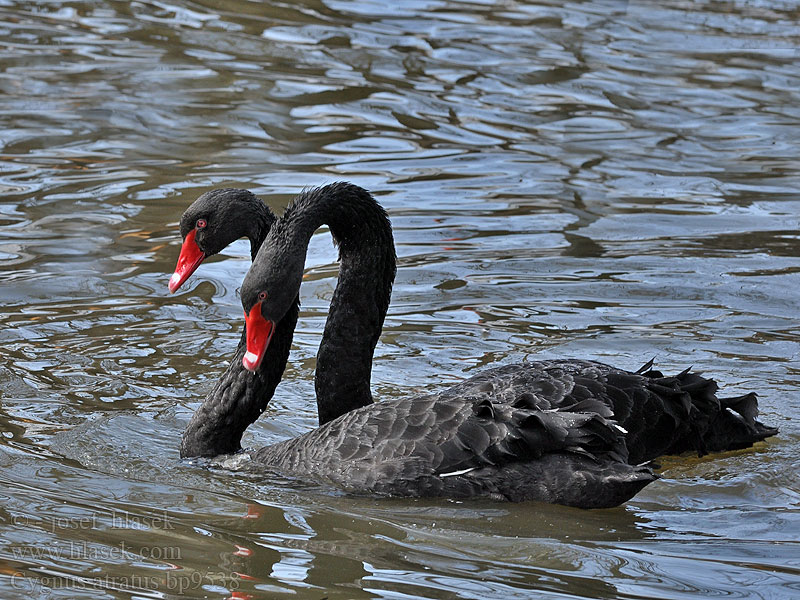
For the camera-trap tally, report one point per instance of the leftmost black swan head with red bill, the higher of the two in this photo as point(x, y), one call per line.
point(215, 220)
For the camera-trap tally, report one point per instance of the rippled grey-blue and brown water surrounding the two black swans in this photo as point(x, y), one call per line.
point(609, 180)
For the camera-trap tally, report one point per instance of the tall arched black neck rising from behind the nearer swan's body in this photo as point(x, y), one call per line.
point(361, 229)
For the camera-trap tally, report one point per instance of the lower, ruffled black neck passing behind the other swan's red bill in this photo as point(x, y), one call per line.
point(239, 397)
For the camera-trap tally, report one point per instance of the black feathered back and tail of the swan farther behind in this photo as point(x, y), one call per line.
point(660, 414)
